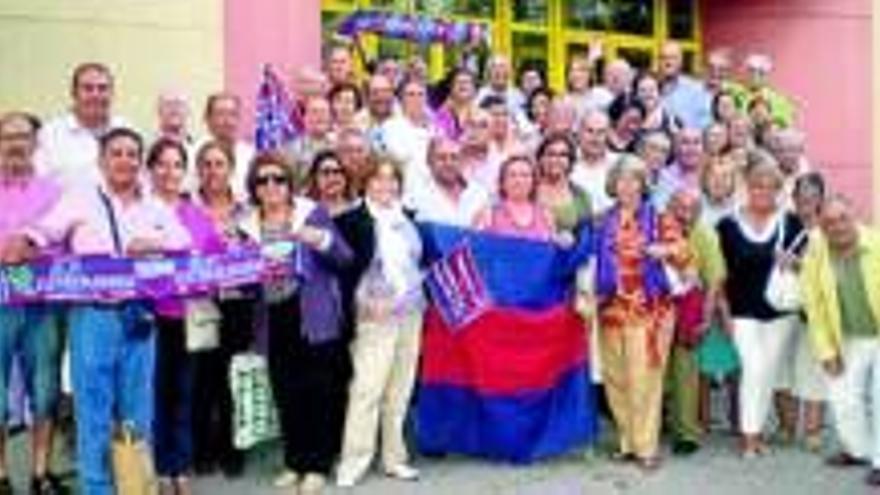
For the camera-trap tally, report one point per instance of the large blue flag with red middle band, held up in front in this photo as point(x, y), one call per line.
point(512, 383)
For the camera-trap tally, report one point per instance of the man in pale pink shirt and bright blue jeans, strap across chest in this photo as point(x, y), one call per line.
point(111, 345)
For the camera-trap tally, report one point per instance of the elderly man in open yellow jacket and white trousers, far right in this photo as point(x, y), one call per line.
point(841, 291)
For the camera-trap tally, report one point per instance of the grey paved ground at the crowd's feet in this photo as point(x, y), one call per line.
point(715, 470)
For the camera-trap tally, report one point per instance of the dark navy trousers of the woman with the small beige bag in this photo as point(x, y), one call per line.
point(172, 429)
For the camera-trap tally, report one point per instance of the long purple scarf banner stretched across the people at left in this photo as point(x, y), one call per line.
point(86, 279)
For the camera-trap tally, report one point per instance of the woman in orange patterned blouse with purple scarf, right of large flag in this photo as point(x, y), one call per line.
point(635, 246)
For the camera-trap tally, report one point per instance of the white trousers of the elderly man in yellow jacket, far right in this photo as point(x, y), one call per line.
point(855, 399)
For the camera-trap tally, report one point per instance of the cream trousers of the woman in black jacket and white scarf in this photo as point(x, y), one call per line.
point(385, 357)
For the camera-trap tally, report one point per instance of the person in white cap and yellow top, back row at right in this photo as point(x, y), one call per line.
point(758, 67)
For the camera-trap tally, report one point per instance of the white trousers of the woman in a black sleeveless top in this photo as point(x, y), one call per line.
point(764, 349)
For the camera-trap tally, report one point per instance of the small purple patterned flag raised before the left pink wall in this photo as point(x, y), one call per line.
point(278, 118)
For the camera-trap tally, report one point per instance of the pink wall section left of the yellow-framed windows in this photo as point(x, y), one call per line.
point(284, 33)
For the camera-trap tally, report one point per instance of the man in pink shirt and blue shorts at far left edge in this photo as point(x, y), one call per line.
point(31, 332)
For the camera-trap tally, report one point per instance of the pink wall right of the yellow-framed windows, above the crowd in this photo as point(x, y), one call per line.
point(822, 57)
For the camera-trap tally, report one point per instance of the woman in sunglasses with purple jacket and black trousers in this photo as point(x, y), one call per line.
point(308, 360)
